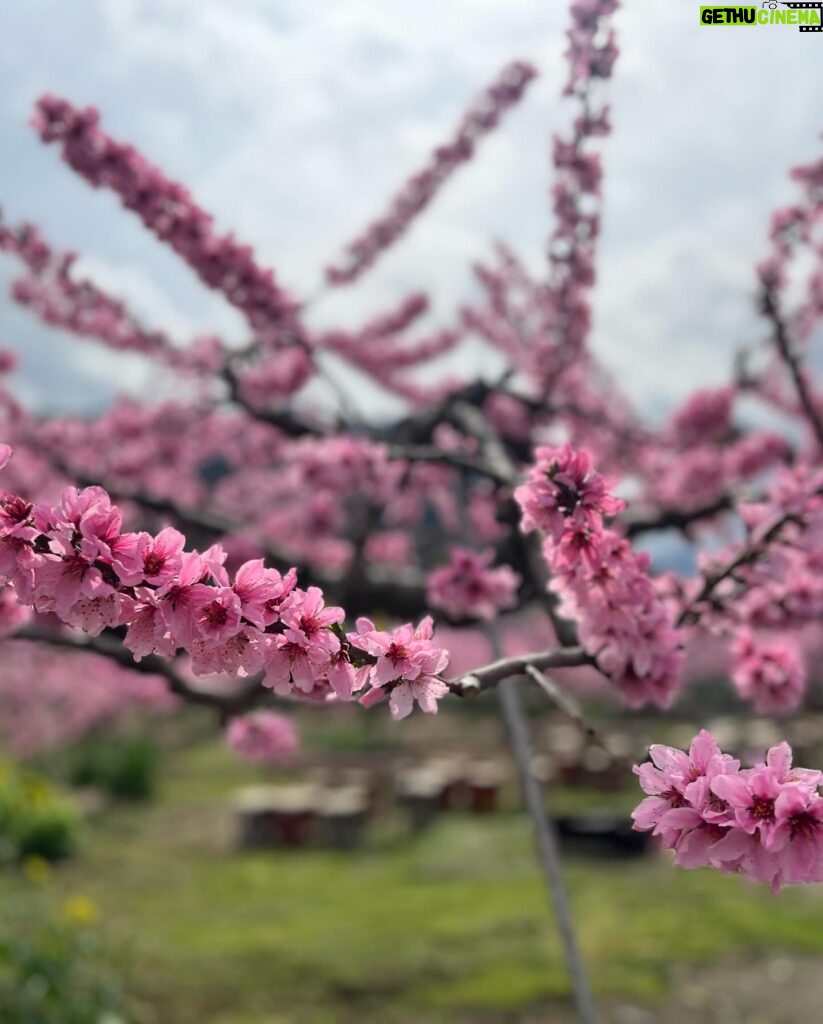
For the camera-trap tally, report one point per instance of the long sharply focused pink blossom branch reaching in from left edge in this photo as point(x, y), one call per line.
point(75, 562)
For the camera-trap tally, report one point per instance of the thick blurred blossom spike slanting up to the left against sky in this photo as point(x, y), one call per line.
point(167, 210)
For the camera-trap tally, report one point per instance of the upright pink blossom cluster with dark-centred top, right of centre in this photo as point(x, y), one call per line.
point(603, 584)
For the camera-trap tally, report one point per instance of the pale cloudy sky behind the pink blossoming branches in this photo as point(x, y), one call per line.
point(294, 121)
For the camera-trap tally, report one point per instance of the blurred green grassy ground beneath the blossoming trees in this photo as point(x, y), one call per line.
point(434, 929)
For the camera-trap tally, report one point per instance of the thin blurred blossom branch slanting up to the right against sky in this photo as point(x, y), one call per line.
point(416, 195)
